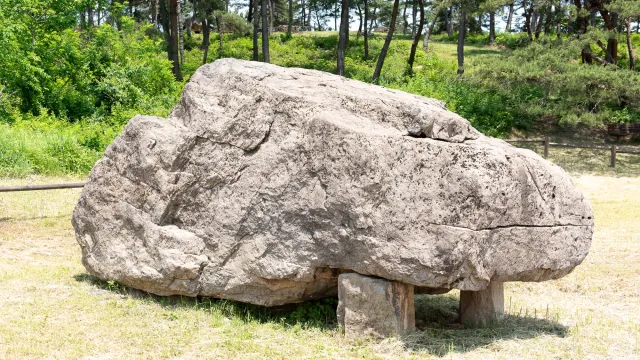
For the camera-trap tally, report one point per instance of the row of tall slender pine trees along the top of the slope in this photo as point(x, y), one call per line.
point(597, 23)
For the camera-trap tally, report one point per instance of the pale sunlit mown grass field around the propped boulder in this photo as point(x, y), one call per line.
point(51, 308)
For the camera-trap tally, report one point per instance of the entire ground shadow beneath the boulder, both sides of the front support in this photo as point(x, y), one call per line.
point(438, 330)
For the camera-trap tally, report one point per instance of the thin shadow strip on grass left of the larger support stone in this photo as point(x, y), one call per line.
point(319, 314)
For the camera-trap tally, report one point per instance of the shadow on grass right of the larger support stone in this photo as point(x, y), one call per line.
point(437, 316)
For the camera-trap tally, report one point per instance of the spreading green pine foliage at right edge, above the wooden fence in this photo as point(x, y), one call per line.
point(548, 80)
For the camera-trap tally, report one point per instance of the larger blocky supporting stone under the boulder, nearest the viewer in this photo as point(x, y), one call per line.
point(374, 307)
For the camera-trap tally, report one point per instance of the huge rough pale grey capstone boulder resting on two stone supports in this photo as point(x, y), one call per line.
point(266, 183)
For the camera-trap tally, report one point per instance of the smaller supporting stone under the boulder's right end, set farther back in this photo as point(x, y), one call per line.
point(478, 308)
